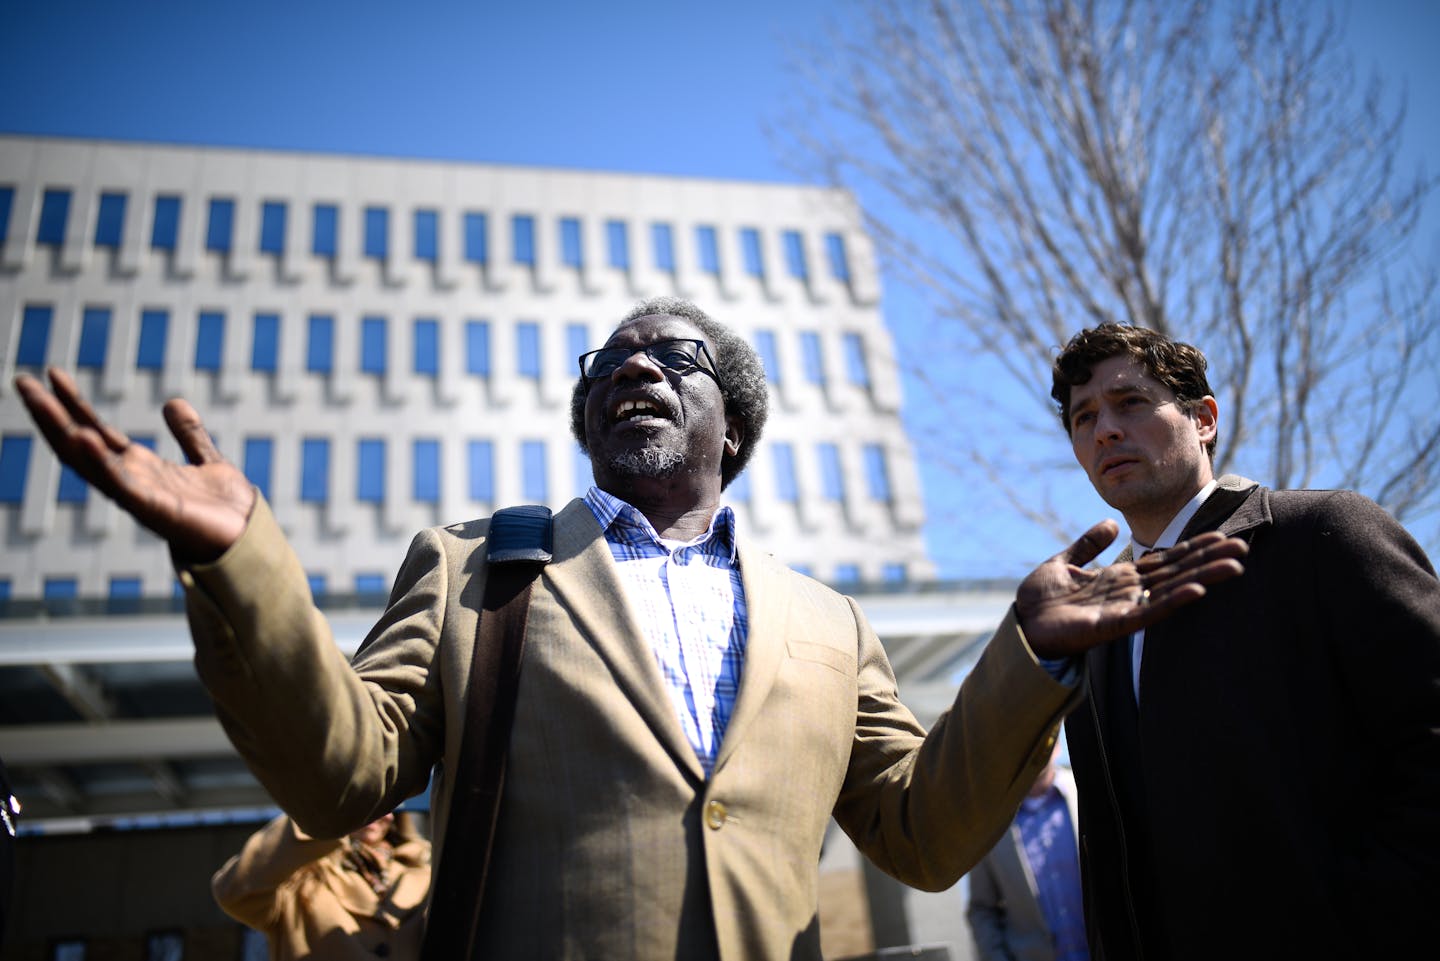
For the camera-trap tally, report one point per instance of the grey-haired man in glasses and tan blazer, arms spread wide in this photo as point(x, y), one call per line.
point(614, 842)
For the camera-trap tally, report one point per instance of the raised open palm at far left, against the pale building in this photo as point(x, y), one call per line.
point(199, 508)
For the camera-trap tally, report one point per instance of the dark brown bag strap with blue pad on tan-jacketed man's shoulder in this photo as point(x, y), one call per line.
point(518, 548)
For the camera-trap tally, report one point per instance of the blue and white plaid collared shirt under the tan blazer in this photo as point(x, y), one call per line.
point(692, 609)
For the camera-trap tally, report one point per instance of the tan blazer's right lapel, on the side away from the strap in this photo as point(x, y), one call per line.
point(768, 610)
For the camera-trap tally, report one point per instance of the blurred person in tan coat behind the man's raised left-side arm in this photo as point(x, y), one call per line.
point(358, 897)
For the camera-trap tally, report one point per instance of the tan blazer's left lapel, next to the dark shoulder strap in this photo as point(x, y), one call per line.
point(587, 584)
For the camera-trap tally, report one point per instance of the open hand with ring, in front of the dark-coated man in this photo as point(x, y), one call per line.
point(1066, 609)
